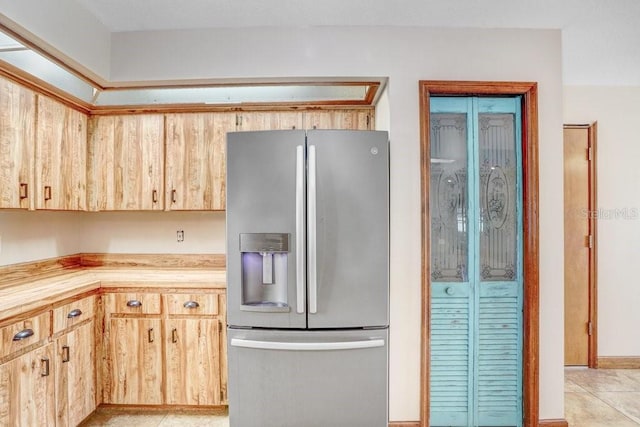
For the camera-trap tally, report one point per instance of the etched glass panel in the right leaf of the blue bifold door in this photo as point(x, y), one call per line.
point(497, 158)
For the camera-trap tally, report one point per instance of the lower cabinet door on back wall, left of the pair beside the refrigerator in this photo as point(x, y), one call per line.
point(134, 362)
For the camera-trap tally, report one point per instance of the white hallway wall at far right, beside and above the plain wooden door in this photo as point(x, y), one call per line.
point(617, 111)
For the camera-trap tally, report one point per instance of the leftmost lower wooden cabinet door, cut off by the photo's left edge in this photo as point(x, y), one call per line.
point(26, 390)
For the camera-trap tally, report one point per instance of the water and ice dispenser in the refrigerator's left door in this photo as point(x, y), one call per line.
point(264, 271)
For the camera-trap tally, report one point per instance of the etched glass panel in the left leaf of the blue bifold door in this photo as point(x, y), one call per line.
point(448, 198)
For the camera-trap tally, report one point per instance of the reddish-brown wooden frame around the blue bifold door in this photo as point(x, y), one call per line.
point(530, 366)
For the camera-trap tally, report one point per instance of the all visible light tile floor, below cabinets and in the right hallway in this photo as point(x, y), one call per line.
point(593, 398)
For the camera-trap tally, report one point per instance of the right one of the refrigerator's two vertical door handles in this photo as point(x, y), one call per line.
point(311, 232)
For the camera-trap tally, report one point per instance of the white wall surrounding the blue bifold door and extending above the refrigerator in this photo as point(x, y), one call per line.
point(405, 55)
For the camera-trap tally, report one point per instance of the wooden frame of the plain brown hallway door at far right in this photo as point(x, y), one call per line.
point(592, 132)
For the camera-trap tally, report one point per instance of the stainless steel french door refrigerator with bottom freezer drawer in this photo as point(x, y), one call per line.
point(308, 278)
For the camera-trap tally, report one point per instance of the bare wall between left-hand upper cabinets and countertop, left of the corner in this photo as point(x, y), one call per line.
point(28, 236)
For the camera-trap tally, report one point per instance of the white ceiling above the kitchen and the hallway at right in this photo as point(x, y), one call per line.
point(600, 38)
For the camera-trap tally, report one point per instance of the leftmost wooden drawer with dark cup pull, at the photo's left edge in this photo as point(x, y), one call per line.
point(23, 333)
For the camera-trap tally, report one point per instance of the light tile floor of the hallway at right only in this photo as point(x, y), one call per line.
point(602, 397)
